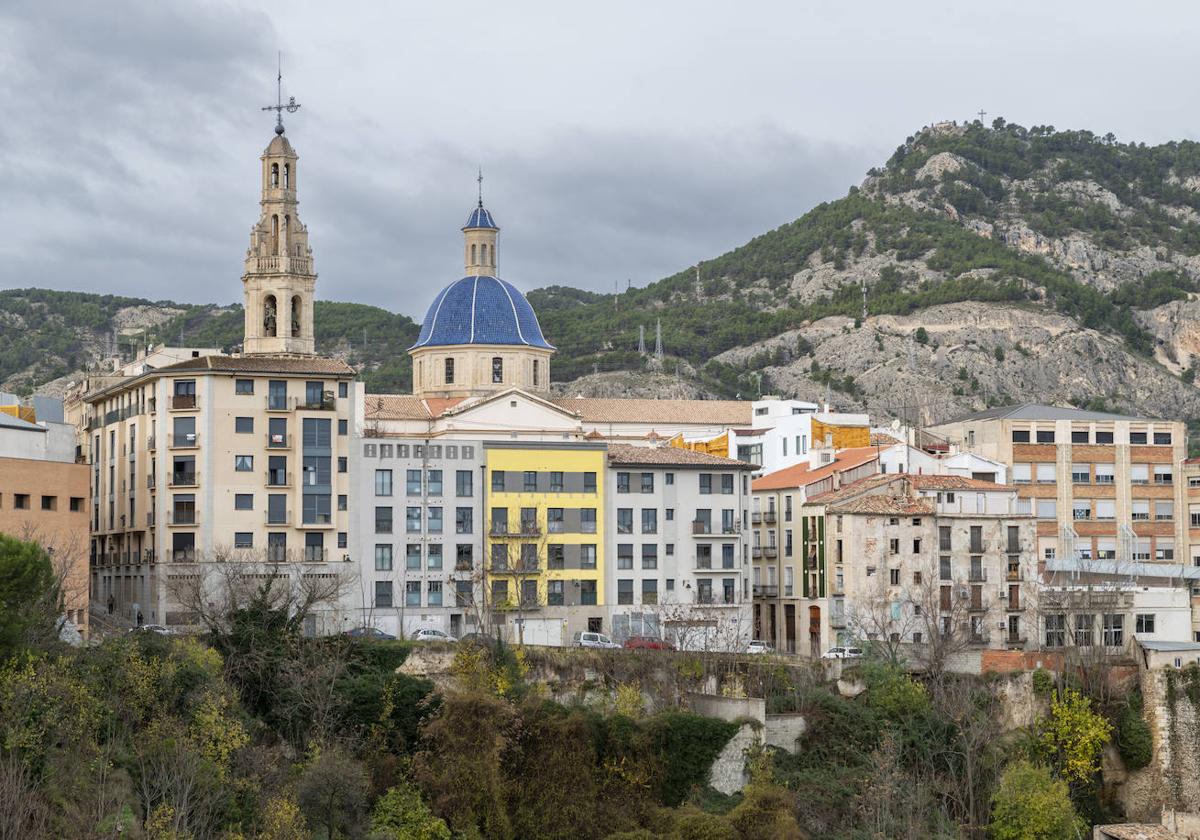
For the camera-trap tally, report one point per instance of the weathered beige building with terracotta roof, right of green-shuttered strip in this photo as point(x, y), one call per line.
point(931, 562)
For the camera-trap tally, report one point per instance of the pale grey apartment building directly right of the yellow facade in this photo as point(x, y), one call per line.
point(677, 525)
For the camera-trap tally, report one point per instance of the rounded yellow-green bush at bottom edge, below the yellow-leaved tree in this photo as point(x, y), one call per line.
point(1030, 805)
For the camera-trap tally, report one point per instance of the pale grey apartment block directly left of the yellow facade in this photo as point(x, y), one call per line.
point(417, 533)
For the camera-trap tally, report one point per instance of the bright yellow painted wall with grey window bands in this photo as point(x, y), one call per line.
point(566, 460)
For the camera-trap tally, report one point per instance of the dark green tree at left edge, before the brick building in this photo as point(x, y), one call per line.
point(31, 598)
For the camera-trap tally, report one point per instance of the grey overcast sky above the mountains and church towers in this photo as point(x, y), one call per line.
point(620, 141)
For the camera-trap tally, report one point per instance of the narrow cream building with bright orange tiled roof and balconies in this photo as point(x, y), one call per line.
point(777, 535)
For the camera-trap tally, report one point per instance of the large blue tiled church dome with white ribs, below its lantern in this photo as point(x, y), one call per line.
point(481, 311)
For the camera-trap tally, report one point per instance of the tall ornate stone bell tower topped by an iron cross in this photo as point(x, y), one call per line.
point(279, 283)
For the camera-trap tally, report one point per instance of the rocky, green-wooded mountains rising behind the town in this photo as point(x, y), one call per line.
point(999, 263)
